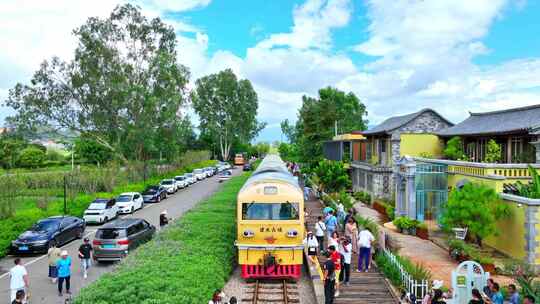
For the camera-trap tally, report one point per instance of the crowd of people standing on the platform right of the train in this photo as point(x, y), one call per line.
point(339, 243)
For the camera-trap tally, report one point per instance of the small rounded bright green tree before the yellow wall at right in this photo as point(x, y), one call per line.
point(476, 207)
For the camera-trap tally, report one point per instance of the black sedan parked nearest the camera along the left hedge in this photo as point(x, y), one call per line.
point(56, 230)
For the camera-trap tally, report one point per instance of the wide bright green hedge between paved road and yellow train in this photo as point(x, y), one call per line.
point(184, 263)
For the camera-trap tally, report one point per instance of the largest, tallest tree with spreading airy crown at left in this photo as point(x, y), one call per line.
point(123, 88)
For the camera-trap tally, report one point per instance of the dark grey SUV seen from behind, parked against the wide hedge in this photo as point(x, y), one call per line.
point(116, 239)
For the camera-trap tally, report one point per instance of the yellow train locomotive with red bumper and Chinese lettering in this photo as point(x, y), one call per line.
point(270, 221)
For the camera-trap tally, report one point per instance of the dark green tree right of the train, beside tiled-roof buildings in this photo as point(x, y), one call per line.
point(318, 118)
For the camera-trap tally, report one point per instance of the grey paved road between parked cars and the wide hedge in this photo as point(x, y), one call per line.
point(41, 288)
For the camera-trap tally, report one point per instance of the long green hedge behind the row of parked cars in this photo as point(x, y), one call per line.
point(26, 216)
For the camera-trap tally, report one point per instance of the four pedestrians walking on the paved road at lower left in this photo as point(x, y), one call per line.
point(59, 272)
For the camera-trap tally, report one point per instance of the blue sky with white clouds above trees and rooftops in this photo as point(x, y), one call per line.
point(398, 56)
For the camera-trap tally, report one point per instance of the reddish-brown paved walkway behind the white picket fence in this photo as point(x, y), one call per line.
point(421, 251)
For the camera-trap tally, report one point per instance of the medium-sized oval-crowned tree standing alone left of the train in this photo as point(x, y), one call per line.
point(227, 110)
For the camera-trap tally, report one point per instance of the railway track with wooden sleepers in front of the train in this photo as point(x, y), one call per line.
point(272, 292)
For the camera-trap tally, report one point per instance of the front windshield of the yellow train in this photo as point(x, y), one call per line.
point(270, 211)
